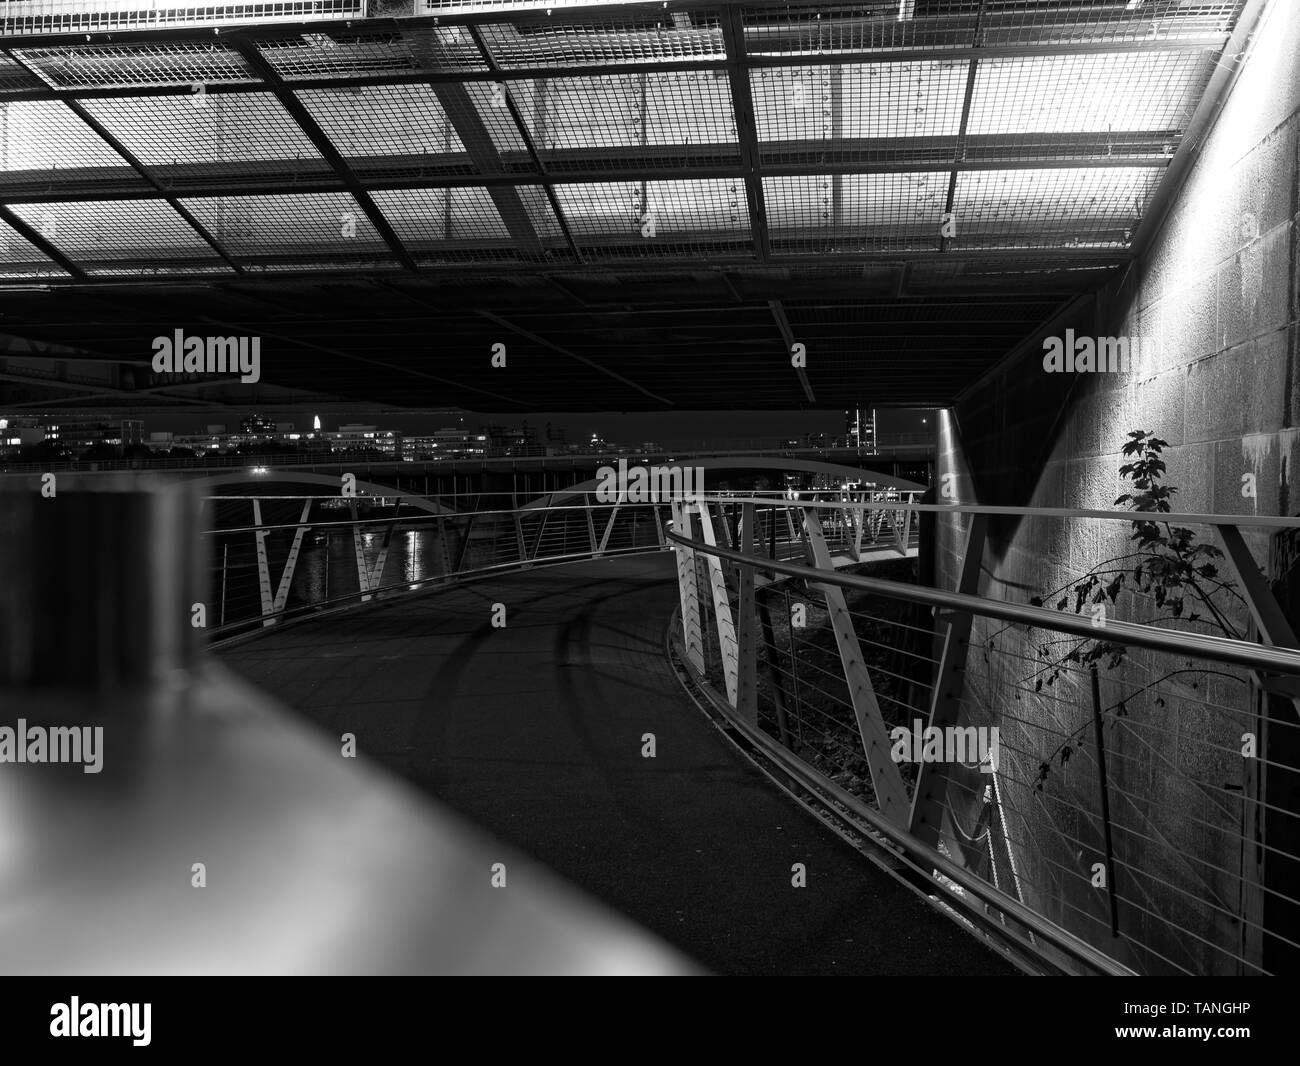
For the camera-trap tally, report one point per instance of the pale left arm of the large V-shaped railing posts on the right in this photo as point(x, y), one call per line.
point(886, 778)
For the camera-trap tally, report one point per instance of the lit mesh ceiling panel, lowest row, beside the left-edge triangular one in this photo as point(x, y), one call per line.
point(119, 236)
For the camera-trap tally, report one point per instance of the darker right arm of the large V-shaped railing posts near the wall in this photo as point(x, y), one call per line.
point(930, 798)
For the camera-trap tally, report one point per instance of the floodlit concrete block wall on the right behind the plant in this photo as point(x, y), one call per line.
point(1215, 298)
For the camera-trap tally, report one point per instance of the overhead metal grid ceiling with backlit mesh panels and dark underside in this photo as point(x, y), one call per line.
point(587, 168)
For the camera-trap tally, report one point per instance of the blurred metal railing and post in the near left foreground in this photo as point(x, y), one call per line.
point(319, 864)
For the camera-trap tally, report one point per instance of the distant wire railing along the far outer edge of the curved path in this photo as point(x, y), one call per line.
point(278, 557)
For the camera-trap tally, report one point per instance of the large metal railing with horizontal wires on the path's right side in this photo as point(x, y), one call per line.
point(1136, 807)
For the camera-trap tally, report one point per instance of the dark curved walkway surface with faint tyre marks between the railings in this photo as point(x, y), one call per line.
point(535, 733)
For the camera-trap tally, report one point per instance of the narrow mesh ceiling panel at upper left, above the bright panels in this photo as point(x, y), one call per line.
point(99, 66)
